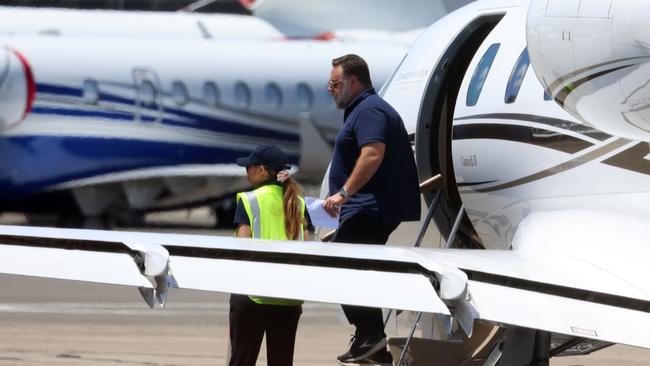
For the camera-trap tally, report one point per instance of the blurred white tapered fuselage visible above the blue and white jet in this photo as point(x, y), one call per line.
point(114, 23)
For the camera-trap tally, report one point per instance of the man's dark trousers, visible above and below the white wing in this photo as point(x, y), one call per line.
point(364, 228)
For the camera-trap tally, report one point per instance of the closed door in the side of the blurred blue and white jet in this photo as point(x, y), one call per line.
point(148, 100)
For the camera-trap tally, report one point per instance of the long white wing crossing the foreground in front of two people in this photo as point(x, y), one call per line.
point(544, 290)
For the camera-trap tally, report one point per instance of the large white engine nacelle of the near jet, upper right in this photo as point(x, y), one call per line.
point(592, 56)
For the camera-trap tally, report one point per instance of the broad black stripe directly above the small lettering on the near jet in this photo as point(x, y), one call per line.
point(524, 134)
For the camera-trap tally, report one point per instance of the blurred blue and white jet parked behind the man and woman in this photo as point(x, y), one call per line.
point(150, 124)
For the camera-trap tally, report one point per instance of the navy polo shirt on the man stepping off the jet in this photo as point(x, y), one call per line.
point(393, 192)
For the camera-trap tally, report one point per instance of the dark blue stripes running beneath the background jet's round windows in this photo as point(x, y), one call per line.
point(194, 120)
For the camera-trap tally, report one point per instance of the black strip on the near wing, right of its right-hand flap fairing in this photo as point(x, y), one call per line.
point(562, 291)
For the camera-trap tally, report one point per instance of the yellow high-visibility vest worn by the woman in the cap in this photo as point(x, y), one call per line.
point(265, 211)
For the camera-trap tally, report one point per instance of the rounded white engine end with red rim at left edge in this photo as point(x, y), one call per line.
point(17, 87)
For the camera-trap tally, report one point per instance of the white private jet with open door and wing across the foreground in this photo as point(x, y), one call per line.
point(561, 207)
